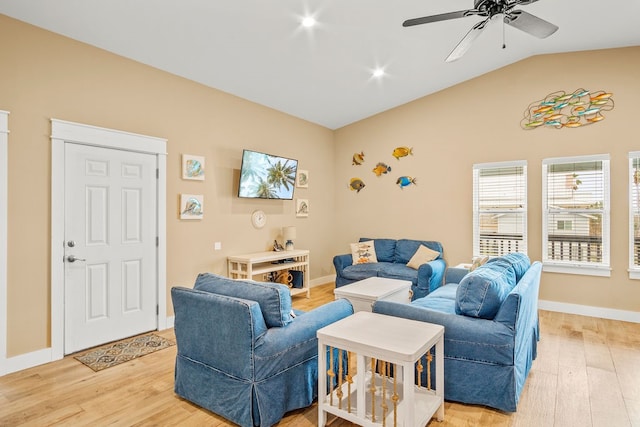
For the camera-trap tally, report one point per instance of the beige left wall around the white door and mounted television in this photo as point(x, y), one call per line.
point(46, 76)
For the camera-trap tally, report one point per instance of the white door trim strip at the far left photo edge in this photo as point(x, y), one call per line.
point(4, 185)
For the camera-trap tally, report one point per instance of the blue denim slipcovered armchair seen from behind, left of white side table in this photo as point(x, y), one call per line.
point(241, 352)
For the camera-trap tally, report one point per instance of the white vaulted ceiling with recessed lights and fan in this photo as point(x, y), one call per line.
point(259, 50)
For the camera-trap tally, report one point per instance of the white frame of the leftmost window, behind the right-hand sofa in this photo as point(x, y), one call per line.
point(476, 205)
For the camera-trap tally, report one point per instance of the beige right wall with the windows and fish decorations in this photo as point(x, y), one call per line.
point(476, 122)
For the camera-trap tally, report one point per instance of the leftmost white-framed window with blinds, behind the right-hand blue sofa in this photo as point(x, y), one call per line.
point(499, 208)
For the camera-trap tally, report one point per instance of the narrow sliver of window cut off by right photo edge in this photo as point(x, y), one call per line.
point(634, 215)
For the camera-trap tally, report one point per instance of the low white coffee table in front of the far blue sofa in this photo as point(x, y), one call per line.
point(364, 293)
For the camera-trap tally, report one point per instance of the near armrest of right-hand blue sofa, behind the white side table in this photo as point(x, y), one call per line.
point(465, 337)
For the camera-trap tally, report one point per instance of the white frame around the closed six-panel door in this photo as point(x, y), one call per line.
point(67, 132)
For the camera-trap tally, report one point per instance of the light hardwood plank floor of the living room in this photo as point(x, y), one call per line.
point(587, 374)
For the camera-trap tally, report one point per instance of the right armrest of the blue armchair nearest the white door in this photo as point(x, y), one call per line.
point(280, 342)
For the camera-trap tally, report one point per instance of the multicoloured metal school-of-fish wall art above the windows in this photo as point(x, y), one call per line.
point(568, 110)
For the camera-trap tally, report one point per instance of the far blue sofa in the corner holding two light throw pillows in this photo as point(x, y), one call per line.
point(393, 256)
